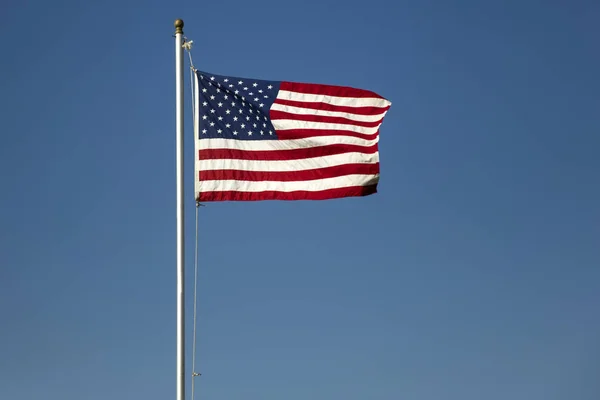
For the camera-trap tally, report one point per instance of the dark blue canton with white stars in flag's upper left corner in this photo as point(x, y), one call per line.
point(236, 108)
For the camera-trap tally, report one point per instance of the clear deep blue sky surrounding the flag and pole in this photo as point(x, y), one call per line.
point(473, 274)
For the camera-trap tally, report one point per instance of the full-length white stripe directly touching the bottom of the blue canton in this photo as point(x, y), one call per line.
point(255, 145)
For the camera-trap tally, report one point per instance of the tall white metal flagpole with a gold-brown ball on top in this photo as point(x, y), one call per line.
point(180, 211)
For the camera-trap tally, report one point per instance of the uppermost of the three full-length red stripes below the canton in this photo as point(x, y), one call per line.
point(292, 154)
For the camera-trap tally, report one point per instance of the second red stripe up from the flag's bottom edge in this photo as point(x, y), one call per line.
point(289, 176)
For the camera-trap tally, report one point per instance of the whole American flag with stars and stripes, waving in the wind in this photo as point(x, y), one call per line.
point(276, 140)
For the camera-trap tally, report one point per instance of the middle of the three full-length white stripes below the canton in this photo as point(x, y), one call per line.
point(287, 165)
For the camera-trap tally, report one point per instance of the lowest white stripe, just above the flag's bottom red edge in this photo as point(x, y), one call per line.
point(311, 186)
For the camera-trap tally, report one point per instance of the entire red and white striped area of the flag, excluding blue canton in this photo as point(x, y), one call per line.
point(327, 147)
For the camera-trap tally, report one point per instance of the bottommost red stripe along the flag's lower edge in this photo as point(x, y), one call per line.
point(353, 191)
